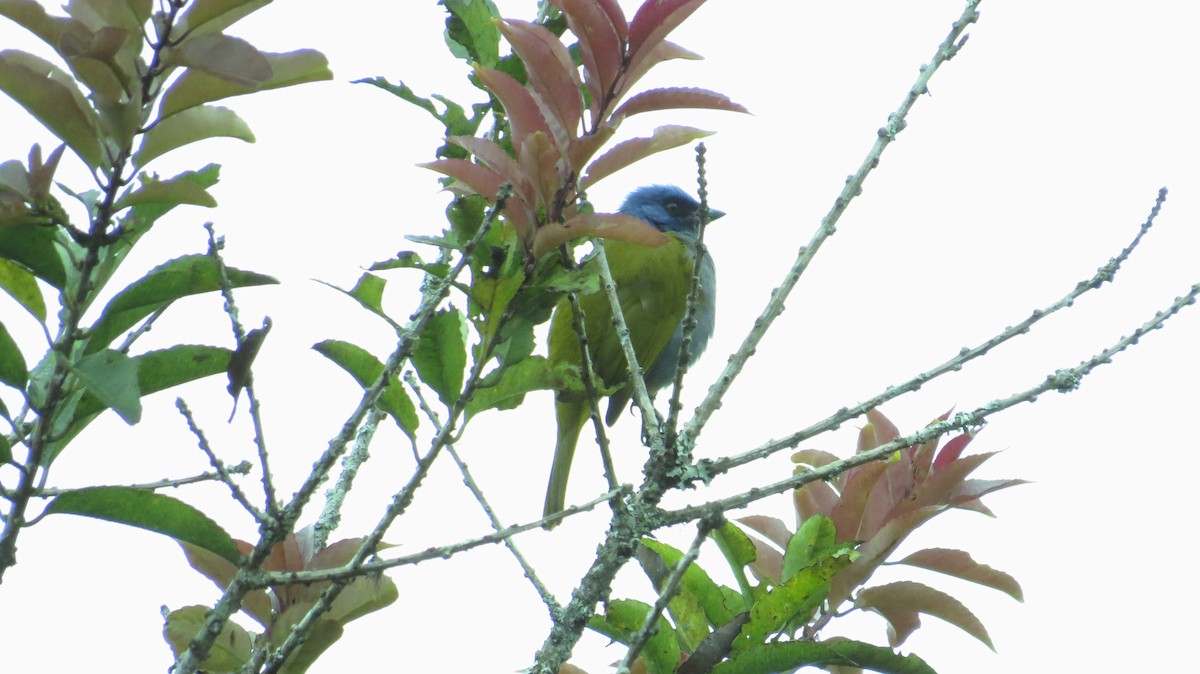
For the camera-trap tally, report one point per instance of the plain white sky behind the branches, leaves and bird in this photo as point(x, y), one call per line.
point(1035, 161)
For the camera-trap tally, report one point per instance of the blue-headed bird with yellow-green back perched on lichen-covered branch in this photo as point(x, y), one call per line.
point(652, 285)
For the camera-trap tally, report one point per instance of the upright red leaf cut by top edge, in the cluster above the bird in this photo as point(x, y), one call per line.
point(602, 32)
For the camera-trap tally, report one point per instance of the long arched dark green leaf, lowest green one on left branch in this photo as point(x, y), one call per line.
point(151, 511)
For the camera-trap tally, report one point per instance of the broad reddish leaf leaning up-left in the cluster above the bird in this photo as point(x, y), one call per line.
point(553, 75)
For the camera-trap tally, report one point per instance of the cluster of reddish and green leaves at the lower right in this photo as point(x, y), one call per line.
point(847, 529)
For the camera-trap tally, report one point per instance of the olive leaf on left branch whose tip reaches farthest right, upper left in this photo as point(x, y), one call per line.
point(196, 88)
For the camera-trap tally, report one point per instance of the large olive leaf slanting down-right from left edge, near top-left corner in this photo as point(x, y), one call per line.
point(51, 95)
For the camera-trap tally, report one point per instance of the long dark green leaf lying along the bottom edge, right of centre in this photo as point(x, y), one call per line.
point(788, 657)
